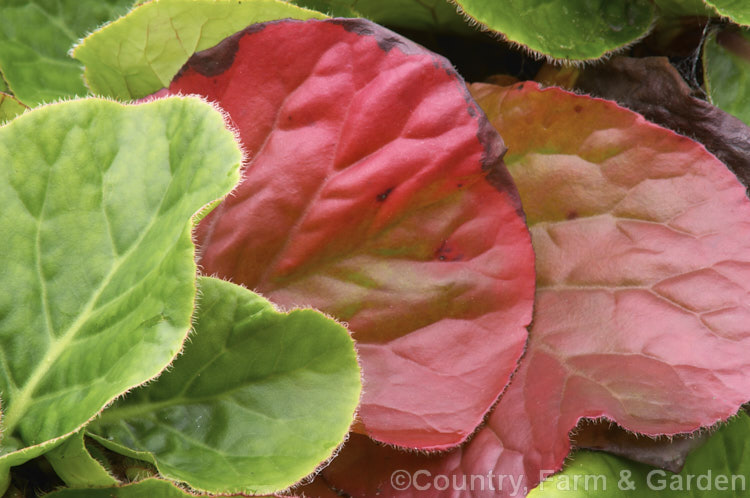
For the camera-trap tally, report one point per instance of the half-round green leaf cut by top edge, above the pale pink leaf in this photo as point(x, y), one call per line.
point(564, 29)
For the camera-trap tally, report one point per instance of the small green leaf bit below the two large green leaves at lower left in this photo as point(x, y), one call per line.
point(76, 467)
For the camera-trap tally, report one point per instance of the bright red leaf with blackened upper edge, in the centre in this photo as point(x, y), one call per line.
point(375, 192)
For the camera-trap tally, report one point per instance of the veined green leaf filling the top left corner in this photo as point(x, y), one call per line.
point(35, 37)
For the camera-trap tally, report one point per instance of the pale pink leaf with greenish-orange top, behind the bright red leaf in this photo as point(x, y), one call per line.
point(643, 267)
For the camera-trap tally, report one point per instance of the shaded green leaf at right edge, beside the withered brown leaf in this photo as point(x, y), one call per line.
point(726, 65)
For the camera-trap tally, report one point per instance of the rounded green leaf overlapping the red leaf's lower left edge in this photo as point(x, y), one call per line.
point(256, 402)
